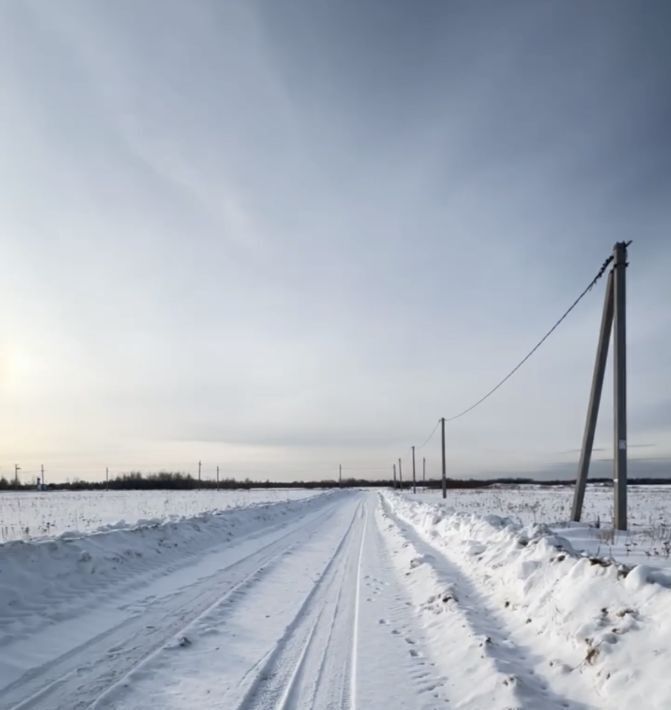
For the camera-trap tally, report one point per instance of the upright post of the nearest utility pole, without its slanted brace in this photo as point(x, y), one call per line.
point(620, 393)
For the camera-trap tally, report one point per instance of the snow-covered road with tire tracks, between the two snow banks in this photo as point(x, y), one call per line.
point(306, 613)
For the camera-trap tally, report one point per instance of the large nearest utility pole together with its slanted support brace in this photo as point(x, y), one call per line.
point(613, 318)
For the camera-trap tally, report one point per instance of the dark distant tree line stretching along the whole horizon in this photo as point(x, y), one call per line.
point(184, 481)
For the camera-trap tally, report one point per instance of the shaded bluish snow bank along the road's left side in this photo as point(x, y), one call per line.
point(45, 581)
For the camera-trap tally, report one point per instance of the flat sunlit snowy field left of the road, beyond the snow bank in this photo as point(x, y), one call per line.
point(29, 515)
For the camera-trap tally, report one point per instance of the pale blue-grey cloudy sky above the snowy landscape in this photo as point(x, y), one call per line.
point(280, 237)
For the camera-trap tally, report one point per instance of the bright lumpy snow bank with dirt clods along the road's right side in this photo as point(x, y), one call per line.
point(584, 615)
